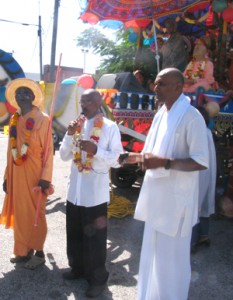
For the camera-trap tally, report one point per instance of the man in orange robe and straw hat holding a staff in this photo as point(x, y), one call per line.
point(27, 168)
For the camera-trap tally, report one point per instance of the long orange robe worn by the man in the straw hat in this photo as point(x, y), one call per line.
point(19, 207)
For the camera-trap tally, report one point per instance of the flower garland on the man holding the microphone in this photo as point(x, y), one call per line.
point(85, 167)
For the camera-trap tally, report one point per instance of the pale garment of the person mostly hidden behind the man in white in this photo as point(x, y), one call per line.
point(207, 181)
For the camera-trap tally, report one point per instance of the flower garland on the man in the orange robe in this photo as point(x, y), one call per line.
point(20, 158)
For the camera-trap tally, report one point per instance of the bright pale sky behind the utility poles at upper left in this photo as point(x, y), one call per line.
point(23, 41)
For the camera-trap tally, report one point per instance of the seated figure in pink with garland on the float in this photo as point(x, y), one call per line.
point(200, 70)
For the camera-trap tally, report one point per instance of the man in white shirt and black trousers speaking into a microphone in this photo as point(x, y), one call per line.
point(93, 144)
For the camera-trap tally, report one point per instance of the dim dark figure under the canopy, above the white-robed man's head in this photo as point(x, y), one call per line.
point(173, 52)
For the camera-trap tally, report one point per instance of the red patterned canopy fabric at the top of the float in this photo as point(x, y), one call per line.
point(127, 10)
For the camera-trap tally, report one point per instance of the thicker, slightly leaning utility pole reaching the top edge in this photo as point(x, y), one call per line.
point(54, 41)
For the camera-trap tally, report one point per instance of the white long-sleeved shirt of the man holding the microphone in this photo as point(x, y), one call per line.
point(93, 188)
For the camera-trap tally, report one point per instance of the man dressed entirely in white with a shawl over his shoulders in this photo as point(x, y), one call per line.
point(175, 149)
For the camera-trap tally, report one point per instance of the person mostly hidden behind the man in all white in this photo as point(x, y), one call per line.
point(206, 200)
